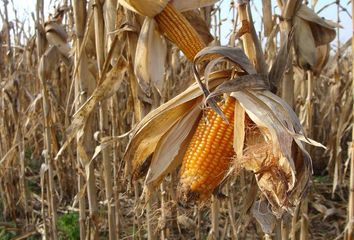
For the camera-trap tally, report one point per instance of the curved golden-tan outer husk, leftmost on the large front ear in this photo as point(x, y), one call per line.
point(154, 125)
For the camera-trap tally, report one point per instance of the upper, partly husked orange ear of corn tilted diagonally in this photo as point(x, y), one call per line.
point(180, 31)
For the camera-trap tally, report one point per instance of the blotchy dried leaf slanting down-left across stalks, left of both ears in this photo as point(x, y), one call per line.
point(110, 84)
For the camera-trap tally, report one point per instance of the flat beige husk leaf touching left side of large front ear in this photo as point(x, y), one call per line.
point(166, 158)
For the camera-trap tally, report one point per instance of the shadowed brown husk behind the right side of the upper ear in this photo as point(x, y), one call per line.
point(199, 24)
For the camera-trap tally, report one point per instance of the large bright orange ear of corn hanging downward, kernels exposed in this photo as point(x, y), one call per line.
point(208, 155)
